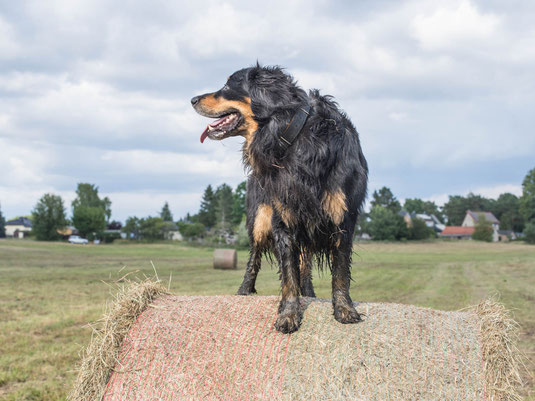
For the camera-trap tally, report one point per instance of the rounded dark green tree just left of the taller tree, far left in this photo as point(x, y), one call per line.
point(48, 216)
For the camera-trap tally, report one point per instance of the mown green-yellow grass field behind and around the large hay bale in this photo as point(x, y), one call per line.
point(49, 291)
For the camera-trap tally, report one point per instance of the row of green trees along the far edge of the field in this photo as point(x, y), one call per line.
point(222, 210)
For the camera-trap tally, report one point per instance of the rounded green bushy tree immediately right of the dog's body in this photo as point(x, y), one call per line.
point(385, 224)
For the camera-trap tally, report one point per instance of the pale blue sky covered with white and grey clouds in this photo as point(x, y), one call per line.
point(442, 93)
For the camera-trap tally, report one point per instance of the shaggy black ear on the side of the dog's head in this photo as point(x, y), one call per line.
point(270, 89)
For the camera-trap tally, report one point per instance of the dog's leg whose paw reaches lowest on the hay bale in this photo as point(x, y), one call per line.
point(289, 317)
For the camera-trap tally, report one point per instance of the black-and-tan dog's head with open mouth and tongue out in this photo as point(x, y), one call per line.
point(248, 100)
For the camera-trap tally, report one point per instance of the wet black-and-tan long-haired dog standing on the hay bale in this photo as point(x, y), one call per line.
point(307, 182)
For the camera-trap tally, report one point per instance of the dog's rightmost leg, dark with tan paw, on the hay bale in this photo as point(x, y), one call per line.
point(344, 311)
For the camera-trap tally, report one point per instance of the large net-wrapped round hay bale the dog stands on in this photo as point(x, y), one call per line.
point(225, 348)
